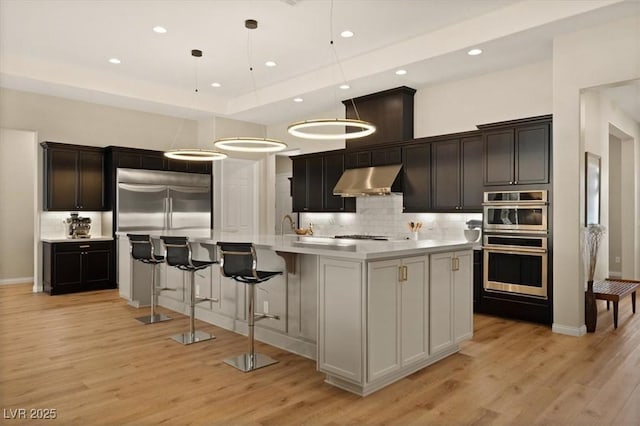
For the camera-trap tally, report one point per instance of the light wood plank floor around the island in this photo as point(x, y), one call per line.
point(85, 356)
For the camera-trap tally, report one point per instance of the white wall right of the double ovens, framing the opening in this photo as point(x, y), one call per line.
point(580, 60)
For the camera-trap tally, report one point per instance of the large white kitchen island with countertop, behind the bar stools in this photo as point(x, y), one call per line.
point(369, 312)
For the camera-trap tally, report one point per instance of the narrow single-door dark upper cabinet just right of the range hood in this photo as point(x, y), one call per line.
point(416, 177)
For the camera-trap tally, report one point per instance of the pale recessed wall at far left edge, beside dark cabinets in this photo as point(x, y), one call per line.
point(17, 211)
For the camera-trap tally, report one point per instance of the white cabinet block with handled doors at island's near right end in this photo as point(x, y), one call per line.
point(380, 321)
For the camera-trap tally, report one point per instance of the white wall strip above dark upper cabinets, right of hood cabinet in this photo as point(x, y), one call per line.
point(505, 95)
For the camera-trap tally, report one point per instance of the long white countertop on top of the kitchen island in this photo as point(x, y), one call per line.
point(318, 245)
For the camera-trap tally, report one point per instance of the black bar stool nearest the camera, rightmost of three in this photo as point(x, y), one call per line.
point(239, 262)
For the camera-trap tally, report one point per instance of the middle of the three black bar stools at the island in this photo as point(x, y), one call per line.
point(178, 254)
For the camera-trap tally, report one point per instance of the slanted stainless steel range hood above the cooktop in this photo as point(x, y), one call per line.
point(367, 181)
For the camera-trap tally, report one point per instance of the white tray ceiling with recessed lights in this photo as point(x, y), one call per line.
point(62, 48)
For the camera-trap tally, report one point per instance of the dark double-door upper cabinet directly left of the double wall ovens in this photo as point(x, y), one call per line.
point(456, 173)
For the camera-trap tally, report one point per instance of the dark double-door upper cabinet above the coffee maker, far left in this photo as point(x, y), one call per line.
point(74, 177)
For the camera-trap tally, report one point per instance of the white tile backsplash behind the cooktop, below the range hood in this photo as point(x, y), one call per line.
point(383, 216)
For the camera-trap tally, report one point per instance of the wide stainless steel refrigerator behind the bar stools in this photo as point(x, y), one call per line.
point(159, 200)
